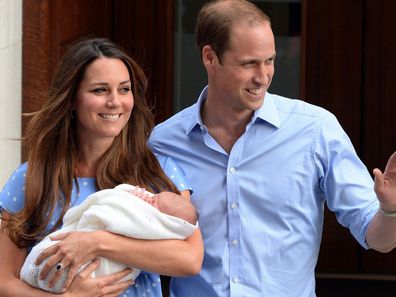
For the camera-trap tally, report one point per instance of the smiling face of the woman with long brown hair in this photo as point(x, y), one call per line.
point(104, 100)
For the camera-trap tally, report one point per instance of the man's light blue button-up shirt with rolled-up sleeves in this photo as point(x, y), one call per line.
point(261, 206)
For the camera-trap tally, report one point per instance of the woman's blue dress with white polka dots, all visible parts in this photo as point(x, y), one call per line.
point(12, 199)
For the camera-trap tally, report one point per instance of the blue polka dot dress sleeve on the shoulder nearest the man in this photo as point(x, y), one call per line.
point(174, 172)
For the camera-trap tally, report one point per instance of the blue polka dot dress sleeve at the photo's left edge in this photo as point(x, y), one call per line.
point(12, 197)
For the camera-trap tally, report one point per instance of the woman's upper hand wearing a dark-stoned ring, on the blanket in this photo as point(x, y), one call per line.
point(73, 250)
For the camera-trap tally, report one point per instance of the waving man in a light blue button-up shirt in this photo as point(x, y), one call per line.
point(261, 167)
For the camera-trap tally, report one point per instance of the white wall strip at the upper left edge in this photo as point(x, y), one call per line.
point(10, 86)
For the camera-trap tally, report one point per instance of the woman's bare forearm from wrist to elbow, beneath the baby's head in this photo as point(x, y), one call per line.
point(167, 257)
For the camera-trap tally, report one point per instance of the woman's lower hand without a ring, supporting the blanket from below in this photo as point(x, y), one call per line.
point(109, 285)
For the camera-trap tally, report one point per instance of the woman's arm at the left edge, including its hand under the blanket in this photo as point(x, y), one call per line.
point(11, 261)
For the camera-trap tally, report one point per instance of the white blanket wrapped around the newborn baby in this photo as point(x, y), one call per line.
point(116, 211)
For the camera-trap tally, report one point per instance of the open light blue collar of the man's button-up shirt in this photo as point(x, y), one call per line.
point(268, 112)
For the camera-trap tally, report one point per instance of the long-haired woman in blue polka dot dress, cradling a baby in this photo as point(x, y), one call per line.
point(90, 135)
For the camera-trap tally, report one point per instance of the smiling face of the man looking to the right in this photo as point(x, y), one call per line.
point(245, 73)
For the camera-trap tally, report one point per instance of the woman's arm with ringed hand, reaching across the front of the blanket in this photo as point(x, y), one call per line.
point(168, 257)
